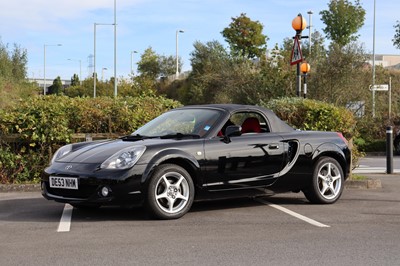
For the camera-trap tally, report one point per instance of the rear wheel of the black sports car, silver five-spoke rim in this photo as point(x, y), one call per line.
point(327, 182)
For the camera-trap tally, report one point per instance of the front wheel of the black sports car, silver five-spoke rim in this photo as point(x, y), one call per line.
point(170, 192)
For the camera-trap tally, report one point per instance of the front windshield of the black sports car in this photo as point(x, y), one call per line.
point(181, 122)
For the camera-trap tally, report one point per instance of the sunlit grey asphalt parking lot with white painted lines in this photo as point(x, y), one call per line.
point(362, 228)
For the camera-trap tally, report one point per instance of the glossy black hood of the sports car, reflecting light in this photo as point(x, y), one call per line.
point(98, 152)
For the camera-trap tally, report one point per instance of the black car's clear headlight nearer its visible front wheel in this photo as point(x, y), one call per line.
point(124, 159)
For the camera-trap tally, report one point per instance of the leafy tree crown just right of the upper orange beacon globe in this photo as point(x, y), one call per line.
point(343, 20)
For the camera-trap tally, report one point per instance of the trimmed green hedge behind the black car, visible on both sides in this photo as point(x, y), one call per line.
point(45, 123)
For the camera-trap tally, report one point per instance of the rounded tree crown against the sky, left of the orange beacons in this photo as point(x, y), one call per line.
point(245, 37)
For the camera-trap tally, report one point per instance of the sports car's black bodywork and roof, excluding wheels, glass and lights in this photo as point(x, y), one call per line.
point(277, 160)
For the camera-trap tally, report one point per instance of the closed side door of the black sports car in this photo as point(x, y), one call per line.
point(253, 159)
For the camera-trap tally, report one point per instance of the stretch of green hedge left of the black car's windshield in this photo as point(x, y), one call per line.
point(45, 123)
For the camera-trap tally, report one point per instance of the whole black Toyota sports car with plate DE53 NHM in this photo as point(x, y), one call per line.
point(199, 153)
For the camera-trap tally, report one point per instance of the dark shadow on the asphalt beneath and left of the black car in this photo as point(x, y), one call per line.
point(42, 210)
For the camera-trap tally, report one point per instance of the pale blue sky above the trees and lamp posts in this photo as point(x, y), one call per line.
point(36, 24)
